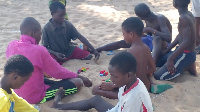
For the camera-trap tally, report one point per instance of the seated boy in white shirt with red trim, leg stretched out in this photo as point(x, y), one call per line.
point(133, 95)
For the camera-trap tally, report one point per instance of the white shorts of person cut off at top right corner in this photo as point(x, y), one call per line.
point(196, 8)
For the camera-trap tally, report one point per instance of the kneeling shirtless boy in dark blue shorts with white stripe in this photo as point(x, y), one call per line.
point(174, 63)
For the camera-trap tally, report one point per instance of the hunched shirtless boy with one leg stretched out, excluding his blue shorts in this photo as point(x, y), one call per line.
point(156, 25)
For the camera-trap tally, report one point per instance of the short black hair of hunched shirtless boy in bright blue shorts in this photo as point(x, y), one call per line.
point(142, 10)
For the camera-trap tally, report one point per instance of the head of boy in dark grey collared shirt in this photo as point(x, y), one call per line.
point(58, 12)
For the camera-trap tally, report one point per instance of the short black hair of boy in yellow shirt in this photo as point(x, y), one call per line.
point(18, 64)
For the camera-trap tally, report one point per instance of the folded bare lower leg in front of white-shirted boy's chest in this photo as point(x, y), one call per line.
point(108, 94)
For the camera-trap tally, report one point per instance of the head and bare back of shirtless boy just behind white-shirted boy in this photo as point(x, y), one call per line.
point(132, 29)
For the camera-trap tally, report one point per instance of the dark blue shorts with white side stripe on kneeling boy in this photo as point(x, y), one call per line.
point(183, 61)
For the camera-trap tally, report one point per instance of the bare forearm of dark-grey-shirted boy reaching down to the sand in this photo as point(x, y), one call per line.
point(86, 42)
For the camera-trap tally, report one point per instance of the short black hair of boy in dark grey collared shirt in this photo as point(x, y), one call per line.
point(55, 5)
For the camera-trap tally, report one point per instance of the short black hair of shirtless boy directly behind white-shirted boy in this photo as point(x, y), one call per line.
point(133, 24)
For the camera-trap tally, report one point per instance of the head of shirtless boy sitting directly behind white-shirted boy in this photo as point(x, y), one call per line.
point(132, 27)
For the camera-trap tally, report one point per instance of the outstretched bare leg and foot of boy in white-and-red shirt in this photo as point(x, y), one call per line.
point(95, 102)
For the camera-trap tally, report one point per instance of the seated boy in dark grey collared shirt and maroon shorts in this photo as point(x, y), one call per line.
point(57, 36)
